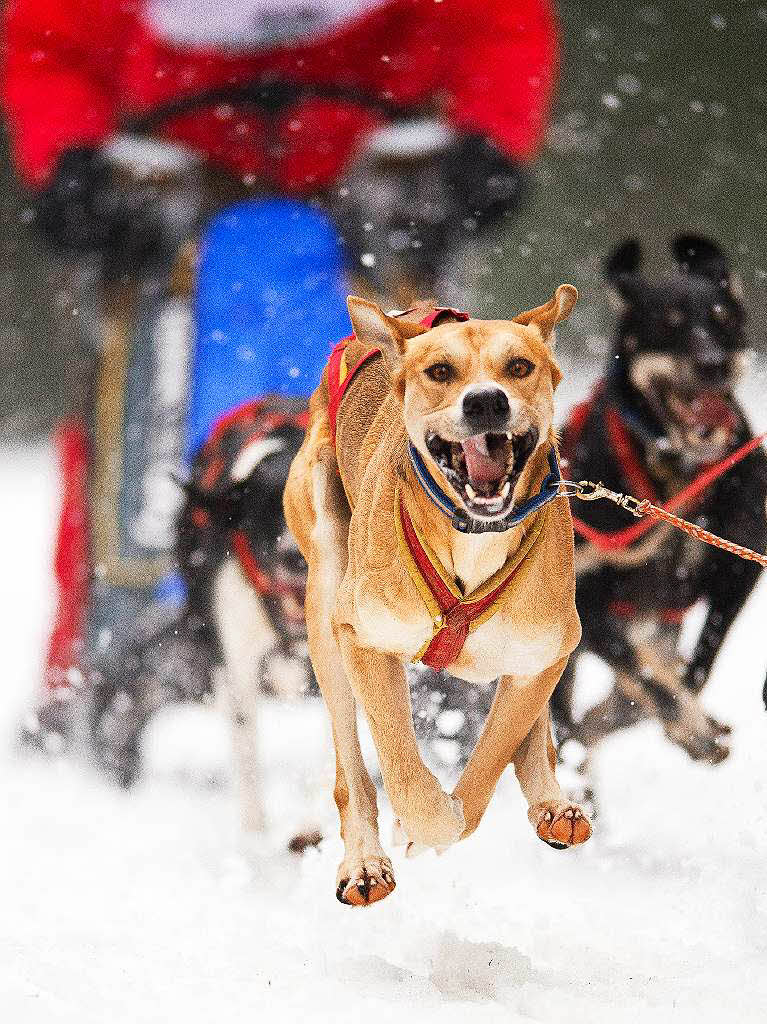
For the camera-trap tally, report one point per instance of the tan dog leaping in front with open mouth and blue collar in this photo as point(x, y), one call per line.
point(475, 400)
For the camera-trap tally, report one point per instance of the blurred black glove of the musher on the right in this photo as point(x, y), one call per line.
point(483, 185)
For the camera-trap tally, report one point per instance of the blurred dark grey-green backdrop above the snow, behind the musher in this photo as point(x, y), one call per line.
point(659, 125)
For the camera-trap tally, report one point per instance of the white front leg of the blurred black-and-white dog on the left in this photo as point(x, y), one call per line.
point(245, 634)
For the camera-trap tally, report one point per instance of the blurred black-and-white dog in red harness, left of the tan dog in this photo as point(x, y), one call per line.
point(245, 577)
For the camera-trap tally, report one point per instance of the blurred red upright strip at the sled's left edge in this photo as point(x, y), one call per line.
point(71, 559)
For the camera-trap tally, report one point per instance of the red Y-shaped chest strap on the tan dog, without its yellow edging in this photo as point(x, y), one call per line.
point(458, 616)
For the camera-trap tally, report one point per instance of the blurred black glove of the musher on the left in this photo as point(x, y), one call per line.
point(84, 208)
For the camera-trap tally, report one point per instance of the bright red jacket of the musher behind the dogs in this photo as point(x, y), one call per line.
point(75, 68)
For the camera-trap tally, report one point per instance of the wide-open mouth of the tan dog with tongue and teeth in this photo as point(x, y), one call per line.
point(485, 468)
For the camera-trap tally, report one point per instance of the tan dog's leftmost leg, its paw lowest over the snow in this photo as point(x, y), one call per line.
point(365, 875)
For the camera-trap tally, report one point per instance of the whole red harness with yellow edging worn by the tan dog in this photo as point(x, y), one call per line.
point(453, 617)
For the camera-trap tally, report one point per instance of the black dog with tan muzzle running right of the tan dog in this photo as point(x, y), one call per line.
point(662, 416)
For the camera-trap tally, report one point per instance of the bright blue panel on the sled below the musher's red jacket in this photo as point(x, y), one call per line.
point(271, 306)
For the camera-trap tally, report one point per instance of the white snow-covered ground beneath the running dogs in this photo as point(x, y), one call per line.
point(145, 908)
